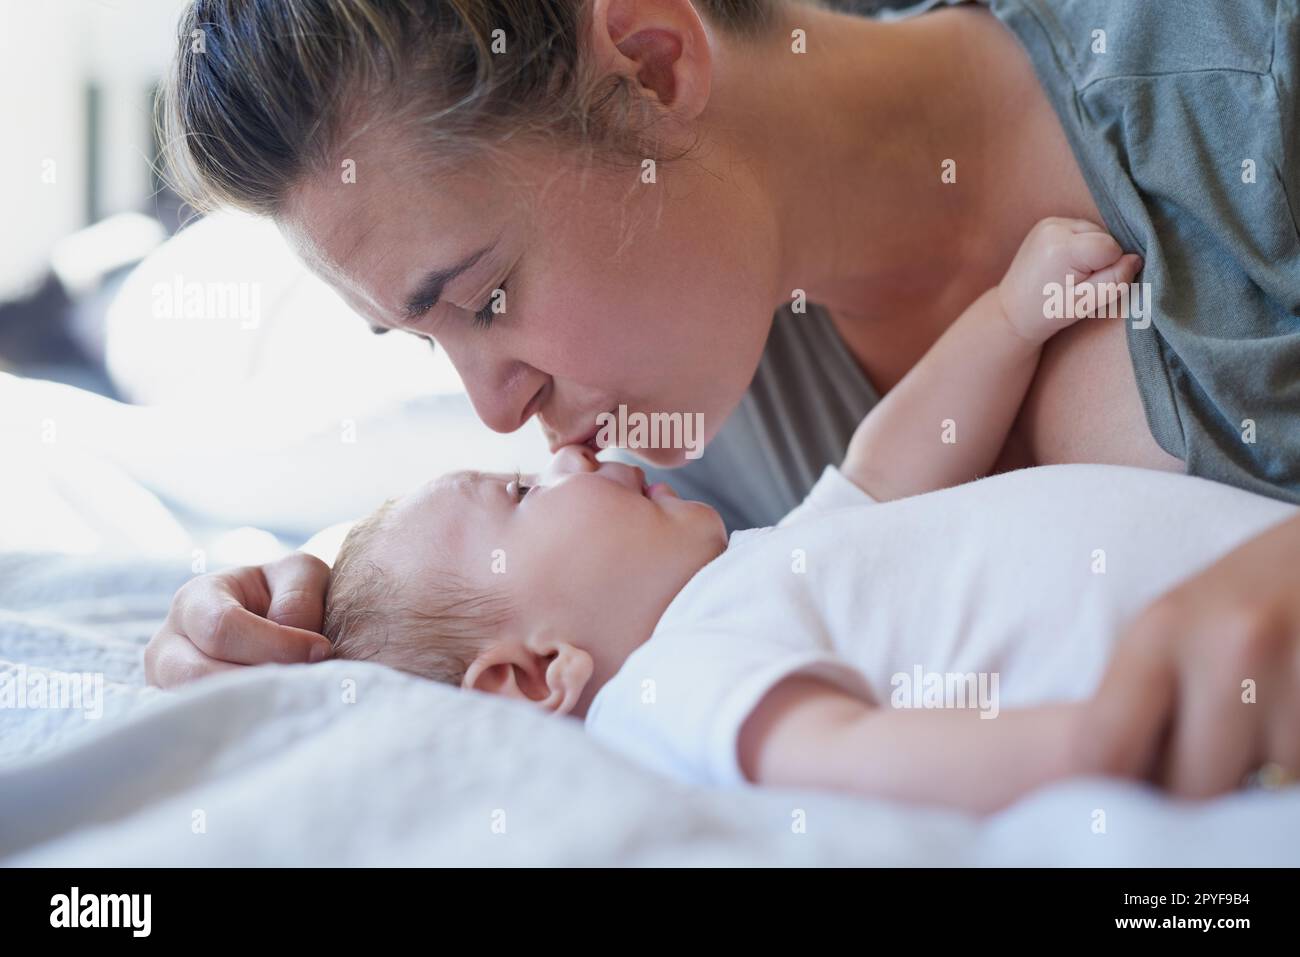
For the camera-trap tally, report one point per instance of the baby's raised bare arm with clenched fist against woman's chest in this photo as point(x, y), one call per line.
point(948, 419)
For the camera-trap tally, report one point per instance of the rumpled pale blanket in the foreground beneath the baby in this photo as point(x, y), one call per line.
point(346, 764)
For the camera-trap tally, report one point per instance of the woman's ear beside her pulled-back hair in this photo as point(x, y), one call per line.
point(662, 44)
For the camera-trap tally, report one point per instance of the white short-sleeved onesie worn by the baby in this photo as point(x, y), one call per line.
point(1021, 581)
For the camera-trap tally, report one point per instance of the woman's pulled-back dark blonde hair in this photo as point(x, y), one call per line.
point(262, 92)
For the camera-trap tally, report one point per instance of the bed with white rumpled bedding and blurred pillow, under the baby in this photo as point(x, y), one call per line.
point(107, 509)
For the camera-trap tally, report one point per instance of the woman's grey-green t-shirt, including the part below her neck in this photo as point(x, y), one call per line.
point(1185, 119)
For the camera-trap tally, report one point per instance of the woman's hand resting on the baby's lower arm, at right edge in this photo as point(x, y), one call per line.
point(1204, 688)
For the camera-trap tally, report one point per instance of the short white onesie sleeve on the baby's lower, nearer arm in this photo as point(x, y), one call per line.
point(679, 703)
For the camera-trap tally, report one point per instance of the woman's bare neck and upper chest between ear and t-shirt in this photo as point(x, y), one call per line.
point(853, 138)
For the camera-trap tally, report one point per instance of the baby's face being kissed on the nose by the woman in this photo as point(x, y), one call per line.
point(584, 549)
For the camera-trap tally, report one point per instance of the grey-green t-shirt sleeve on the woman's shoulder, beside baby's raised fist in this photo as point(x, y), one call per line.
point(1185, 127)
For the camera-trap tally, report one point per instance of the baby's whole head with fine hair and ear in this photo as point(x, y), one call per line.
point(536, 588)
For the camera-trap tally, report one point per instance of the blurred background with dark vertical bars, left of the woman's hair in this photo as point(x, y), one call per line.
point(77, 80)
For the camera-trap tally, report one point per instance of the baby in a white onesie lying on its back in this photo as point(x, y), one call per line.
point(941, 648)
